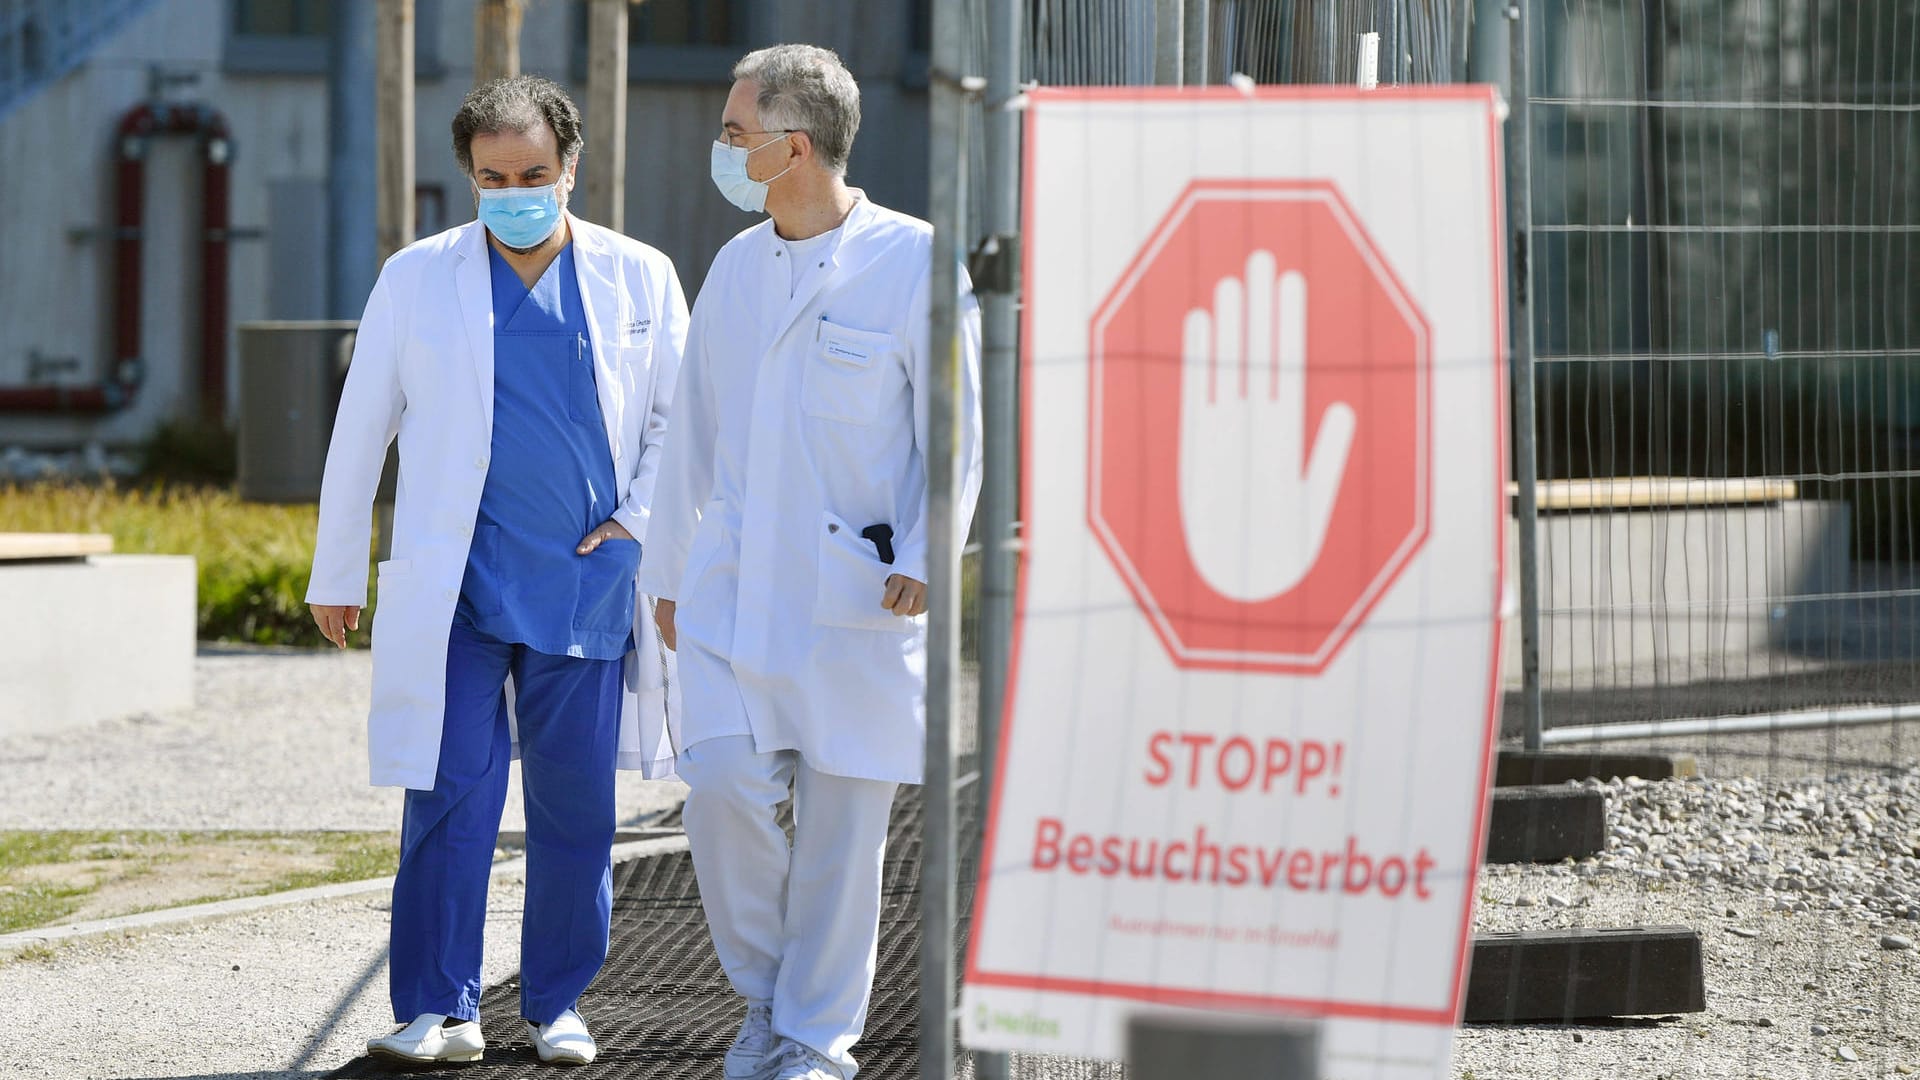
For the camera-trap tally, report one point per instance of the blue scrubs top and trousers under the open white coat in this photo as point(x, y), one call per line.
point(558, 624)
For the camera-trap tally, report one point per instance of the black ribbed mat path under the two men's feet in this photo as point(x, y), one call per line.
point(663, 1010)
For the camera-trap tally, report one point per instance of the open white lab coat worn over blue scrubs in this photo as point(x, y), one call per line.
point(423, 370)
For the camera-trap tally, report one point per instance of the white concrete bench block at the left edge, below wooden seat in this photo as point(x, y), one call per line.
point(95, 639)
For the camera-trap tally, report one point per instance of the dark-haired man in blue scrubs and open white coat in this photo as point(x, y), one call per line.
point(546, 602)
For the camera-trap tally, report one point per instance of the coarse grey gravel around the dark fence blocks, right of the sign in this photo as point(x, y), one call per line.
point(1806, 891)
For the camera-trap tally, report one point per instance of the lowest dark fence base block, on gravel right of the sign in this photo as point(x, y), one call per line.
point(1560, 977)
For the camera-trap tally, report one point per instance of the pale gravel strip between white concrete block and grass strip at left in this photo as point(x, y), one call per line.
point(276, 741)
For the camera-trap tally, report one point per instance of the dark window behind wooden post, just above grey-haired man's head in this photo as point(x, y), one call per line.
point(683, 41)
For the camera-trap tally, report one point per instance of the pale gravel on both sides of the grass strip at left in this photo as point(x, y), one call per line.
point(277, 741)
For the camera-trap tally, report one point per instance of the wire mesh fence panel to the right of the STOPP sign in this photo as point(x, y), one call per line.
point(1689, 347)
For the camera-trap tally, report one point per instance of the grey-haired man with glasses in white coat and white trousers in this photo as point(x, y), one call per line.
point(790, 552)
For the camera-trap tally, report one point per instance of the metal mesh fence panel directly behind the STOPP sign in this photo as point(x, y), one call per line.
point(982, 55)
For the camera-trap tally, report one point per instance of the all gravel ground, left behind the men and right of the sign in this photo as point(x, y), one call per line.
point(1798, 860)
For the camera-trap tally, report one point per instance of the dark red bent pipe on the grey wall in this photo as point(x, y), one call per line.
point(118, 391)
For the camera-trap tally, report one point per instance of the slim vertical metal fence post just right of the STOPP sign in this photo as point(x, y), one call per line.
point(1520, 289)
